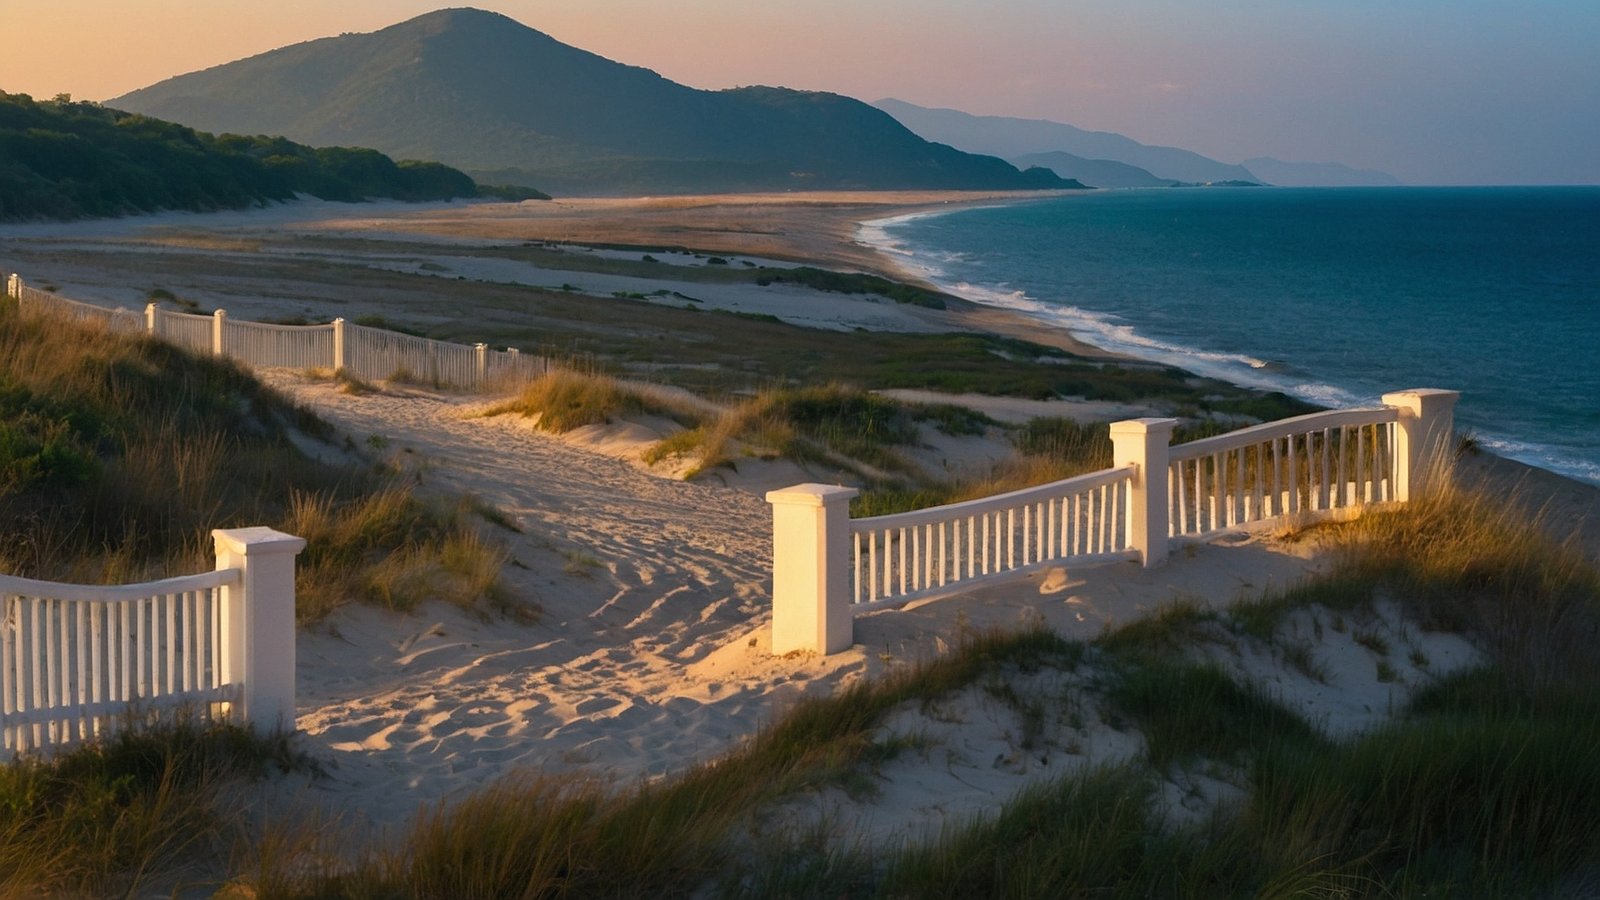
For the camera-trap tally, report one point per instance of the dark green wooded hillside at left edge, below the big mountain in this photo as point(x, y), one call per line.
point(63, 161)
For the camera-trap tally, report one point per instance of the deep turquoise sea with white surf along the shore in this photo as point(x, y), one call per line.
point(1334, 295)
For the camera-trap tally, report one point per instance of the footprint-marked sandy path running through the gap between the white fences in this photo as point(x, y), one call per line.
point(639, 579)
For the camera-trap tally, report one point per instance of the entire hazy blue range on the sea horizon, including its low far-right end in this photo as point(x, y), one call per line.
point(1026, 140)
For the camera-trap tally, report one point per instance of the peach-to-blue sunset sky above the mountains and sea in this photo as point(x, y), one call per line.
point(1433, 92)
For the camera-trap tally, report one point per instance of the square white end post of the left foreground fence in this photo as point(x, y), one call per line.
point(258, 624)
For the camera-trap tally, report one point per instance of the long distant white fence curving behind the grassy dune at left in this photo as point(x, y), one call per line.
point(366, 353)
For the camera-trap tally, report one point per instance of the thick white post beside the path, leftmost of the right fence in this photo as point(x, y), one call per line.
point(810, 584)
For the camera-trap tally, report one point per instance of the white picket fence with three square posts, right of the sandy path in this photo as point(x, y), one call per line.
point(828, 569)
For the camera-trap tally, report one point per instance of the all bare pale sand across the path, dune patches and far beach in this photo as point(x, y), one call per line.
point(652, 653)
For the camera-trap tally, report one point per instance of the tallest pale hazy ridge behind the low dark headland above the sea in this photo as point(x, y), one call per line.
point(1020, 137)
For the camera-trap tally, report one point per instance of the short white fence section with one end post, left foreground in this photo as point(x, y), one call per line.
point(79, 661)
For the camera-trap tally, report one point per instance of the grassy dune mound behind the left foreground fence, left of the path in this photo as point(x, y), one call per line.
point(119, 456)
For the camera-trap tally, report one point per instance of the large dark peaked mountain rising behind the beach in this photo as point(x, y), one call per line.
point(486, 94)
